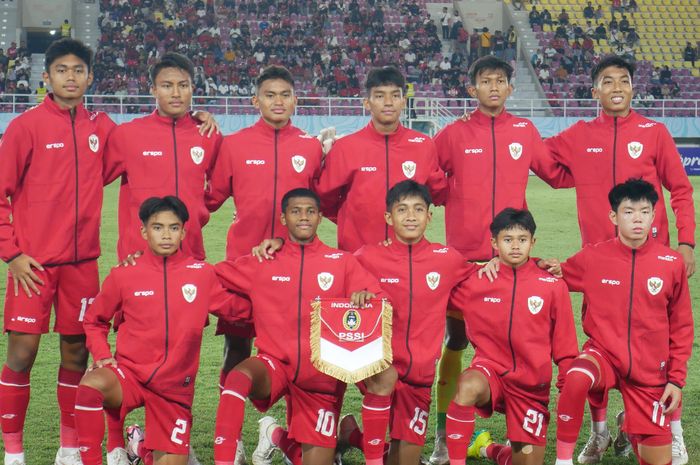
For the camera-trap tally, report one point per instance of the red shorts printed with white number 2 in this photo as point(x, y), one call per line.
point(167, 423)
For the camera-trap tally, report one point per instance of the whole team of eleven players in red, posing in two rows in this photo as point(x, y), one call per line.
point(377, 184)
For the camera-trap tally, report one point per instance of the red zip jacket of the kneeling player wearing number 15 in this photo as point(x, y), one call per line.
point(418, 280)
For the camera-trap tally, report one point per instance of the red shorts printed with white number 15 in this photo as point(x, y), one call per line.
point(410, 407)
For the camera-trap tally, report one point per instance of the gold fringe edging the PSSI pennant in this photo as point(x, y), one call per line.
point(338, 372)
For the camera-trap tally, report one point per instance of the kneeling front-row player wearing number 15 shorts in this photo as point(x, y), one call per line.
point(418, 277)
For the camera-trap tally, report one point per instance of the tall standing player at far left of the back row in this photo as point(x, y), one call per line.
point(50, 203)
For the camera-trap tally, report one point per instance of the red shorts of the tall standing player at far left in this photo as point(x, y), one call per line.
point(71, 289)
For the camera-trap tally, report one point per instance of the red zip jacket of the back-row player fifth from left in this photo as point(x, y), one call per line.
point(487, 160)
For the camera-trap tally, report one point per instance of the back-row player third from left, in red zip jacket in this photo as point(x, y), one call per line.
point(256, 166)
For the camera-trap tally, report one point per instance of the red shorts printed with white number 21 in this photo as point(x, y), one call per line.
point(527, 413)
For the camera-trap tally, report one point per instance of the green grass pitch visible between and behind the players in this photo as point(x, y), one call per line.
point(557, 236)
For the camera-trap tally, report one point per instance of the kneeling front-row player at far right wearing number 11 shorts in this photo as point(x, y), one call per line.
point(640, 326)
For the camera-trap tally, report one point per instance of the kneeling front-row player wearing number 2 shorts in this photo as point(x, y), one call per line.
point(161, 306)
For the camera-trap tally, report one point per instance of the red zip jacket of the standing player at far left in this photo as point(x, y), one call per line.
point(50, 184)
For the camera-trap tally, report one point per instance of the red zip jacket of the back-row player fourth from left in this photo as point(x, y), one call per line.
point(362, 167)
